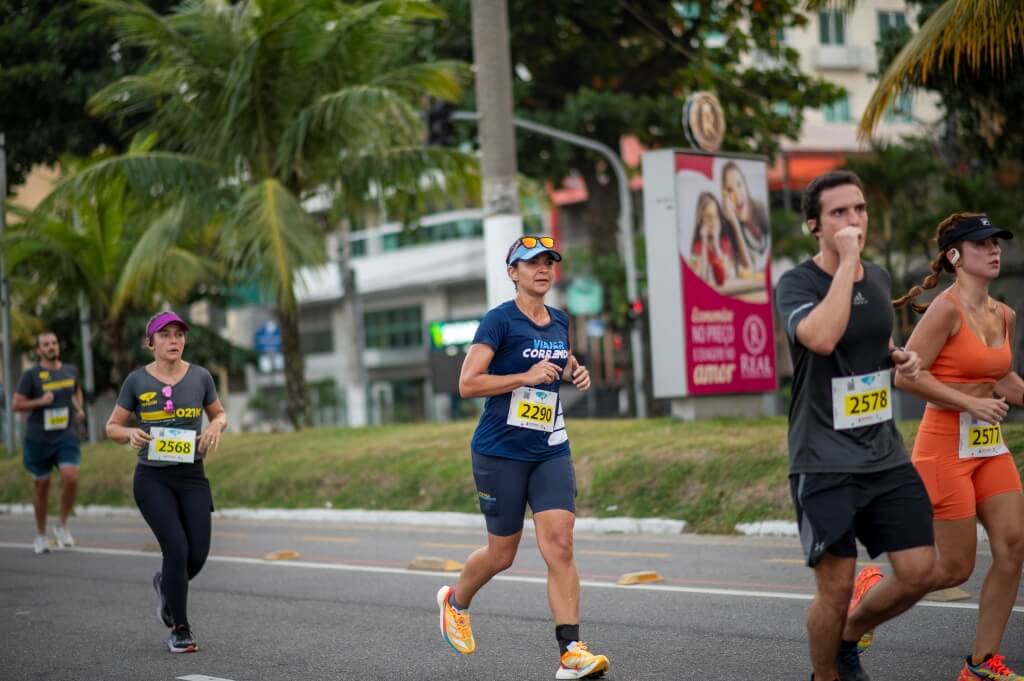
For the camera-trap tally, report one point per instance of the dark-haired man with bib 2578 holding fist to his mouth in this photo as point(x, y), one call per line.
point(850, 477)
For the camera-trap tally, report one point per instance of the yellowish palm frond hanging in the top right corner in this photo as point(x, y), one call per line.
point(982, 34)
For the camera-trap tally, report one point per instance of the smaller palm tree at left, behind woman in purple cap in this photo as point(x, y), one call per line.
point(102, 249)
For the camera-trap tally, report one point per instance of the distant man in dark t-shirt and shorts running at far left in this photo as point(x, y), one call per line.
point(52, 397)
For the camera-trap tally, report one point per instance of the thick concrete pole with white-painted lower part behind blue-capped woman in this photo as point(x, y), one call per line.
point(502, 222)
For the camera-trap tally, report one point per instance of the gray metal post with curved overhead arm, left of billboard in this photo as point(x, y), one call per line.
point(625, 235)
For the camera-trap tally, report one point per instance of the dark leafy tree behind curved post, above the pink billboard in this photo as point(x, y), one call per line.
point(606, 69)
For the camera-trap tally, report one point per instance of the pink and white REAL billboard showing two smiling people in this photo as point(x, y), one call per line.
point(709, 263)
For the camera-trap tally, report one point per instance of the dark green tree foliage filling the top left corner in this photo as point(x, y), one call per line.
point(53, 58)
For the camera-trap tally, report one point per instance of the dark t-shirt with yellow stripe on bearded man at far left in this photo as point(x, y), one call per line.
point(60, 414)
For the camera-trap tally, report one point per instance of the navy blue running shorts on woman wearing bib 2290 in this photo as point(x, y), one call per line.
point(506, 486)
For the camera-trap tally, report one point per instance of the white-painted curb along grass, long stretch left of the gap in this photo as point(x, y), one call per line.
point(625, 526)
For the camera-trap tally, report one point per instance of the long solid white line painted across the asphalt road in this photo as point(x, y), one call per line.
point(374, 570)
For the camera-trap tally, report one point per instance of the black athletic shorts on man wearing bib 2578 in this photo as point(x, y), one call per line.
point(887, 512)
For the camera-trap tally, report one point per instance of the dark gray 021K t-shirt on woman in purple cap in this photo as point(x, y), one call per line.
point(142, 395)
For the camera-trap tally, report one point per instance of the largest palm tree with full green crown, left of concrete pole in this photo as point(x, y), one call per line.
point(261, 104)
